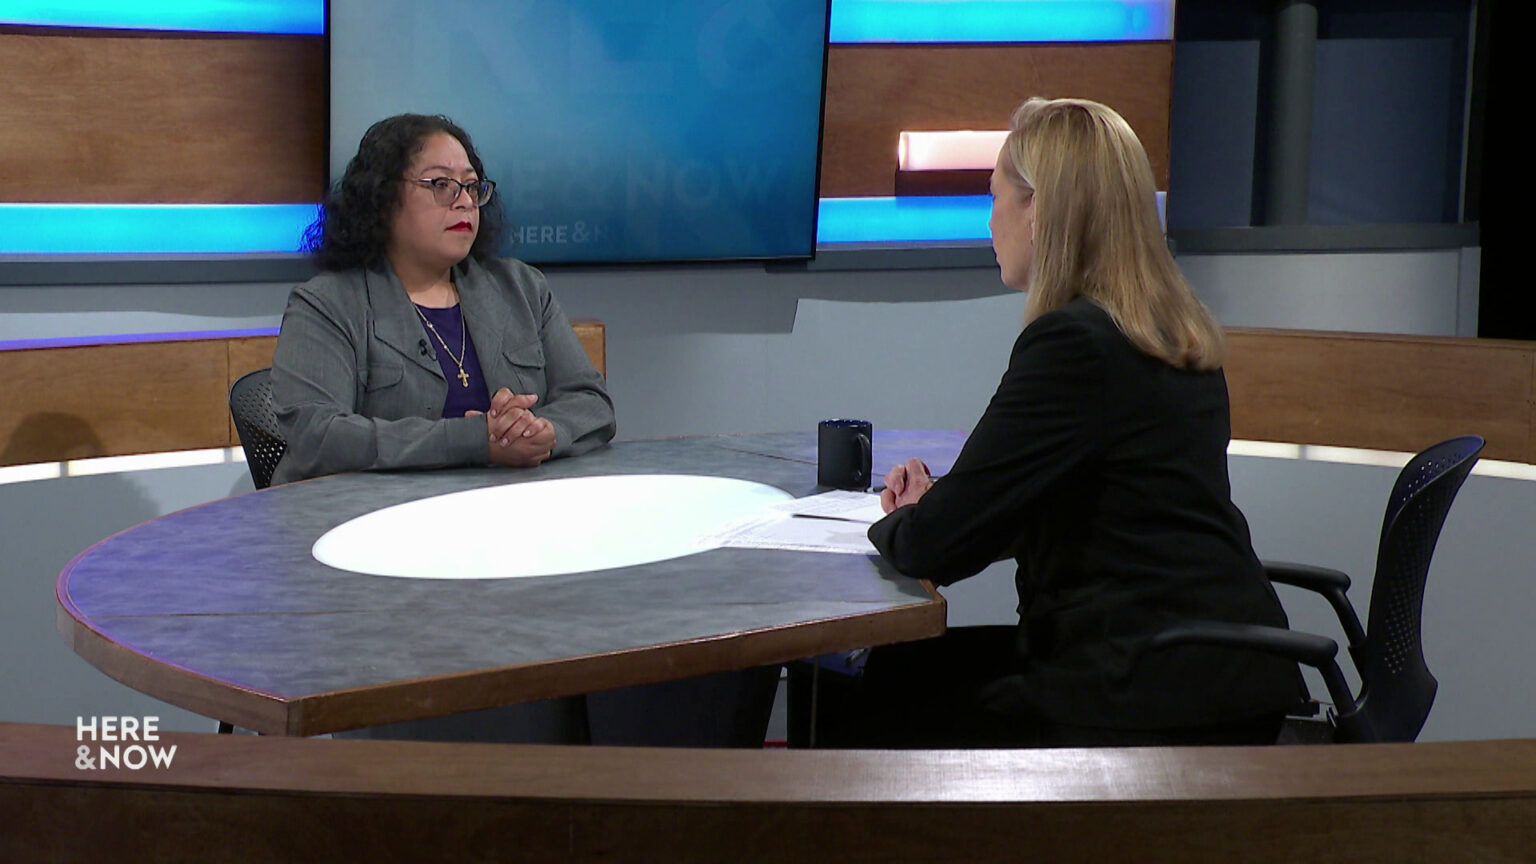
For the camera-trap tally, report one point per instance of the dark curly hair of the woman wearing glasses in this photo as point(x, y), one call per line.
point(354, 222)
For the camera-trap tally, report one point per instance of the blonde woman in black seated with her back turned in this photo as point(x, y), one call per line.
point(1101, 465)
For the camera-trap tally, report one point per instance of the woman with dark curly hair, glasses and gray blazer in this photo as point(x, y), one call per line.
point(417, 347)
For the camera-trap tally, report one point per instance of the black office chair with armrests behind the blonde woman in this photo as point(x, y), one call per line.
point(1397, 686)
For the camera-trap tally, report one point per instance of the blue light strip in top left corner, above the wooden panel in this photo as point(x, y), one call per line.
point(200, 16)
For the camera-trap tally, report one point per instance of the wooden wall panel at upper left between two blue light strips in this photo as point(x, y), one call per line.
point(119, 118)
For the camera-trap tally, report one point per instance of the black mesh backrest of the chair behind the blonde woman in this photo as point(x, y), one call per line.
point(1399, 688)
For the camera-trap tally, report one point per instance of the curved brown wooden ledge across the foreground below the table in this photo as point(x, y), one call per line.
point(248, 799)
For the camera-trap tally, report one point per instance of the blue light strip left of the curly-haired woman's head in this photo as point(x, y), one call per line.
point(44, 230)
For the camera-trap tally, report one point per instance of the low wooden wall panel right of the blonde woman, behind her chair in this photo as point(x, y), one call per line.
point(1383, 393)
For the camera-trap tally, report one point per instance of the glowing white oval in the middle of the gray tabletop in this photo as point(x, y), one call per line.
point(545, 528)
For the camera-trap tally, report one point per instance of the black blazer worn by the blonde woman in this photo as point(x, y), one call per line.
point(1104, 471)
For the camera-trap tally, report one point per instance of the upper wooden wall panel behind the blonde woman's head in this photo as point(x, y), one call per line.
point(876, 91)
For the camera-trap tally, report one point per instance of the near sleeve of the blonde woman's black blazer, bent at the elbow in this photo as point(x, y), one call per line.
point(1039, 427)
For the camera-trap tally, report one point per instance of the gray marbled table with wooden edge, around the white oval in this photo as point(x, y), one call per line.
point(222, 610)
